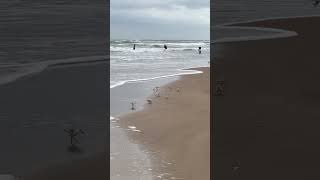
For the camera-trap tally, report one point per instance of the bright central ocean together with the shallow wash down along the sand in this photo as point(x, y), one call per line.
point(133, 75)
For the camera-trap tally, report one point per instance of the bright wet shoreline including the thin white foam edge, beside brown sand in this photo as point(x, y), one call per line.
point(121, 96)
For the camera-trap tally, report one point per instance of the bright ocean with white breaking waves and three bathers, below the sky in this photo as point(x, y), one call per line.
point(150, 60)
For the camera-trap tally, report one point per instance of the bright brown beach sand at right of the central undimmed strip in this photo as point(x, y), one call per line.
point(176, 126)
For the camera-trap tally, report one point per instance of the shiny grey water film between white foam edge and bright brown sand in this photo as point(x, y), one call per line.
point(130, 160)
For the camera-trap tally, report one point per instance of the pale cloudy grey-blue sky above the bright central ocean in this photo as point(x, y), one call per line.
point(160, 19)
